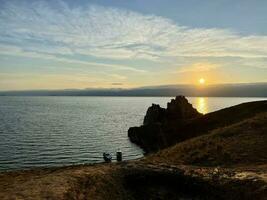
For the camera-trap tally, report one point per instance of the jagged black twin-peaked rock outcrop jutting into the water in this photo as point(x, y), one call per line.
point(151, 135)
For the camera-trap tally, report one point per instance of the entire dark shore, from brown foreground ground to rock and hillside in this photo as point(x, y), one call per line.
point(219, 155)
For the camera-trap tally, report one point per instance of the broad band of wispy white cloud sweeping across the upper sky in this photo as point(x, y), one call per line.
point(116, 33)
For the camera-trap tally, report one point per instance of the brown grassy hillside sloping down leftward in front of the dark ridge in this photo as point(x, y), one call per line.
point(242, 143)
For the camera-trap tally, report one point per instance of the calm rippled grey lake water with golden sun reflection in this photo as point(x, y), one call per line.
point(54, 131)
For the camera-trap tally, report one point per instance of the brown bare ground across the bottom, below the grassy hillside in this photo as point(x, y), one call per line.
point(136, 180)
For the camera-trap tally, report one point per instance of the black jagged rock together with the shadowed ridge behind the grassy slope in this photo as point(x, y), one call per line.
point(180, 121)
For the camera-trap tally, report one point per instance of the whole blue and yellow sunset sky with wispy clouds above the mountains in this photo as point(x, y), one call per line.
point(81, 44)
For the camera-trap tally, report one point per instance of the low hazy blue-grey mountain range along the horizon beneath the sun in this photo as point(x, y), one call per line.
point(218, 90)
